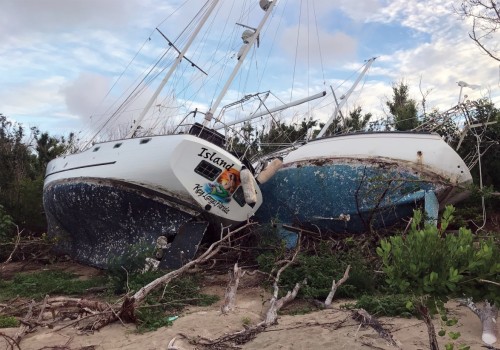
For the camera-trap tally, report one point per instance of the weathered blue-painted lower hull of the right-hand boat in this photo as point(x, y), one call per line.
point(349, 197)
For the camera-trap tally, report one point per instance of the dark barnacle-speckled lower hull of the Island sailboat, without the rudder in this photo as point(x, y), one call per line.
point(96, 220)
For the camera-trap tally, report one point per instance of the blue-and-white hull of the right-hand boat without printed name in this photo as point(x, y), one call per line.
point(356, 183)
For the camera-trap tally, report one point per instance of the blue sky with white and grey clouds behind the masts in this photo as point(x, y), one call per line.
point(60, 58)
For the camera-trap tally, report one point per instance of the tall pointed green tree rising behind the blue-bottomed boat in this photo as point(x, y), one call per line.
point(402, 108)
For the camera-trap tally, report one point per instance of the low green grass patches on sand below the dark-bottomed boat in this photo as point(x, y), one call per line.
point(158, 310)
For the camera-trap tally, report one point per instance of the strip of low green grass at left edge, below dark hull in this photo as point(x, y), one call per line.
point(38, 284)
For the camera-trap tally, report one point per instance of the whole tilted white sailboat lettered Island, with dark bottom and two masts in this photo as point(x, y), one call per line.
point(134, 190)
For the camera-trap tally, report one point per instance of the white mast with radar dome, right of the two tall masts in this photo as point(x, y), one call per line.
point(267, 6)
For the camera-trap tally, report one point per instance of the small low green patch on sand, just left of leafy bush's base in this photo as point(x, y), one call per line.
point(385, 305)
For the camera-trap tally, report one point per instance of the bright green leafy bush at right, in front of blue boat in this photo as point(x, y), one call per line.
point(428, 261)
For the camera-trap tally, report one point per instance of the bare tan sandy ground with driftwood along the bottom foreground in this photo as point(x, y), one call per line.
point(326, 329)
